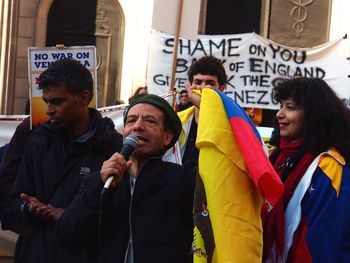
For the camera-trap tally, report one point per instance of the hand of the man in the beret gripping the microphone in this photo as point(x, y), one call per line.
point(114, 166)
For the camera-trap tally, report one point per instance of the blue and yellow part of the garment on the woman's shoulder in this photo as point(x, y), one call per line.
point(326, 211)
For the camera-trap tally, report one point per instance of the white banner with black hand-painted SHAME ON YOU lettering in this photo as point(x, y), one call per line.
point(254, 65)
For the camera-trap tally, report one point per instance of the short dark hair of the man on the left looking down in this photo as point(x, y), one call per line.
point(68, 73)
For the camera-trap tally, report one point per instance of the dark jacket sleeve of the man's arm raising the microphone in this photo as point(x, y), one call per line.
point(77, 229)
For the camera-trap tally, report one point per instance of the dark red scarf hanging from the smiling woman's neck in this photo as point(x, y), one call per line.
point(273, 222)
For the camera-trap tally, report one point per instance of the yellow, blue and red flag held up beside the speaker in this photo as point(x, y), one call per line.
point(233, 188)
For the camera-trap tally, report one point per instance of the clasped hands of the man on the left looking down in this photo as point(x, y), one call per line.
point(42, 210)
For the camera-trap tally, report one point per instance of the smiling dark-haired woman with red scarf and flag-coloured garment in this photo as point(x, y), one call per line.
point(311, 222)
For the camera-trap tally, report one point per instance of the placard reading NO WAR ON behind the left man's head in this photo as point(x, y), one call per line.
point(39, 60)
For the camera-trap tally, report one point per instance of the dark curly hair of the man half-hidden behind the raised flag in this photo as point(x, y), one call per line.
point(208, 65)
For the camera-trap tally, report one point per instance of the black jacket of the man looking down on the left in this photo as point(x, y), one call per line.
point(51, 170)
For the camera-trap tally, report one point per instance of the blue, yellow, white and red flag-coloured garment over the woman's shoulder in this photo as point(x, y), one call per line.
point(318, 215)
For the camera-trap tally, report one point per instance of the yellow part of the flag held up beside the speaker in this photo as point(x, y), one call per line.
point(233, 201)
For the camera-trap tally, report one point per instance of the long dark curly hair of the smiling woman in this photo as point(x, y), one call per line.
point(326, 118)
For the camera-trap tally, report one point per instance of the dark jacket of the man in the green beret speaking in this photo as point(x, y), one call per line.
point(159, 216)
